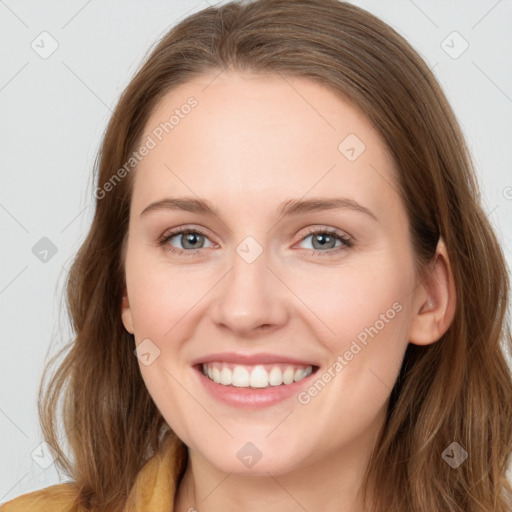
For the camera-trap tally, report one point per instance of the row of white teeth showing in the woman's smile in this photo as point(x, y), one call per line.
point(255, 376)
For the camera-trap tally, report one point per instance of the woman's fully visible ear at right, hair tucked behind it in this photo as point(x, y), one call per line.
point(434, 302)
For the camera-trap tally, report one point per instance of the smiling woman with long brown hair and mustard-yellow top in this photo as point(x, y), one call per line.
point(272, 369)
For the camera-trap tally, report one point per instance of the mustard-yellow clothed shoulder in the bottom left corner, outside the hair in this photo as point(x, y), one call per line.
point(50, 499)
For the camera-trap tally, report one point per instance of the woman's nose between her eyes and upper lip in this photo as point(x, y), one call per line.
point(250, 299)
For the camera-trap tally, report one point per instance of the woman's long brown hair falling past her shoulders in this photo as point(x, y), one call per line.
point(458, 389)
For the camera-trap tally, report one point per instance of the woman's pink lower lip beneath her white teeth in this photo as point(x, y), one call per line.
point(252, 398)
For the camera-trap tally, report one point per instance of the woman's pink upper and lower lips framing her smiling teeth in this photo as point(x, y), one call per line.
point(251, 398)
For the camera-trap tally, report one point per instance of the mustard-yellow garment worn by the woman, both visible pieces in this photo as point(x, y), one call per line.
point(153, 491)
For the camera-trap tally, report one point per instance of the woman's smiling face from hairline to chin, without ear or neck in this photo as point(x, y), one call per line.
point(277, 283)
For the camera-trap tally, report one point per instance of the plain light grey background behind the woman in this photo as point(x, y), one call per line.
point(54, 111)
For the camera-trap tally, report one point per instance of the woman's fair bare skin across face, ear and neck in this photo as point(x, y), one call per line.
point(253, 142)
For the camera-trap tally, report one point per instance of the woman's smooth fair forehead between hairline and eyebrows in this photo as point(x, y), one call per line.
point(262, 136)
